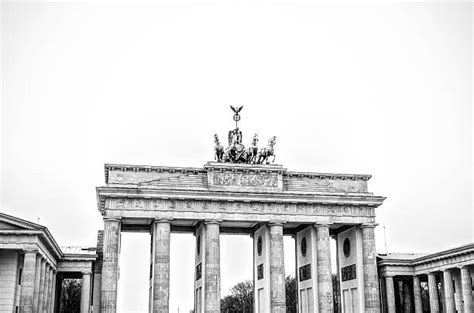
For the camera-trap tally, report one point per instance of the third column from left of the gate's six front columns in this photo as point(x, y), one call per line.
point(212, 274)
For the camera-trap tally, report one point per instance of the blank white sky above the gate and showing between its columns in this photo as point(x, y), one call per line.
point(383, 89)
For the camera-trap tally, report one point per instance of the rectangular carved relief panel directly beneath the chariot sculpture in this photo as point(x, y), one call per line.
point(245, 179)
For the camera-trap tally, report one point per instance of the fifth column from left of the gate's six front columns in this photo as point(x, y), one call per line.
point(323, 266)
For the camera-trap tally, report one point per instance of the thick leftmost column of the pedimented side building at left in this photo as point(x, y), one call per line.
point(28, 281)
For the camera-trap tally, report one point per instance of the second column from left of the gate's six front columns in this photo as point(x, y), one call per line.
point(161, 231)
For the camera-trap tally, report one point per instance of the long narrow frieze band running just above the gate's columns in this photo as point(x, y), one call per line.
point(239, 207)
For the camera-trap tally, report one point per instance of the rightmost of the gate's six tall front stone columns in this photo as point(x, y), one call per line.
point(371, 286)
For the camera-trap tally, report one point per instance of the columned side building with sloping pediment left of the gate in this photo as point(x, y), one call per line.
point(33, 267)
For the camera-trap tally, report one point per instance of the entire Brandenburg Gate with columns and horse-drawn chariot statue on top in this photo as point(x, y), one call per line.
point(243, 192)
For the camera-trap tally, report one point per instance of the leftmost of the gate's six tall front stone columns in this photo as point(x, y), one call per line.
point(108, 290)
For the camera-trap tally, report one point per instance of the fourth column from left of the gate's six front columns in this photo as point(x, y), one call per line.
point(277, 269)
